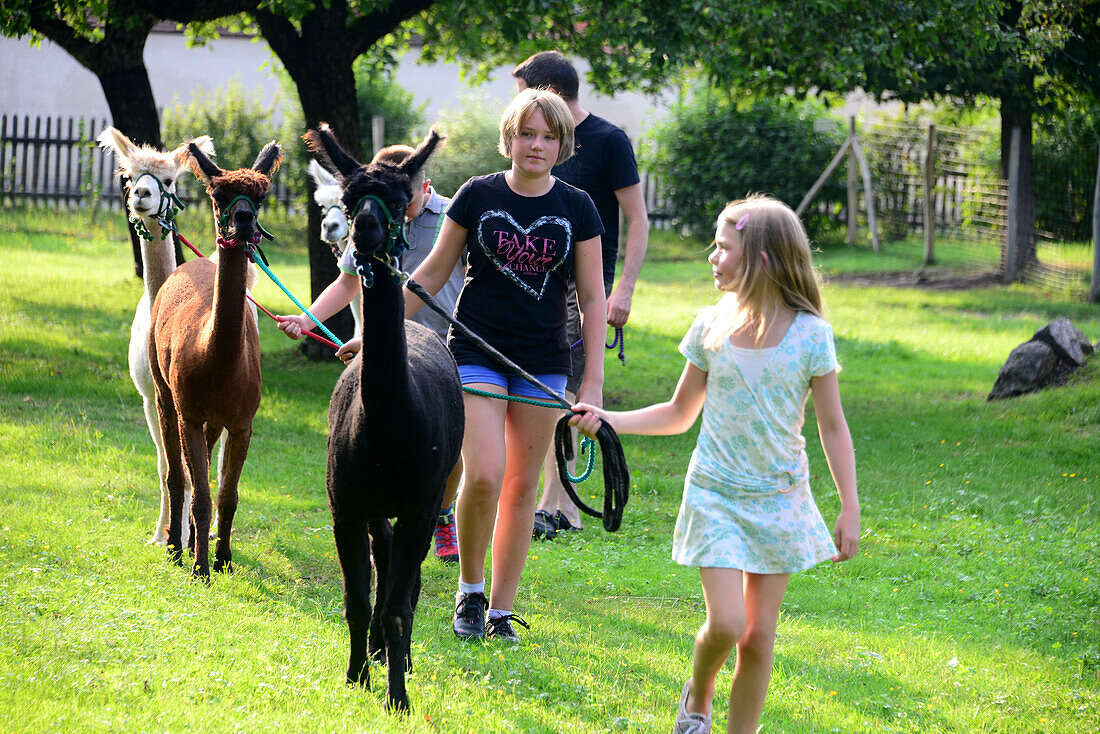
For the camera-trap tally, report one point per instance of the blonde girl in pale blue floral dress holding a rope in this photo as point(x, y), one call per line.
point(749, 519)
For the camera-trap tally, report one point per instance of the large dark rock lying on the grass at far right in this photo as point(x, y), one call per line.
point(1046, 360)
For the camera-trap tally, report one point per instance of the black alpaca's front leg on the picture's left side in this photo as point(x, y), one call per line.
point(355, 554)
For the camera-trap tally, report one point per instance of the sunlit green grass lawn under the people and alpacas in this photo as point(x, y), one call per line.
point(973, 607)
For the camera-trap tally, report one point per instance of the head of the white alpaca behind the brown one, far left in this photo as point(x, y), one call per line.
point(152, 174)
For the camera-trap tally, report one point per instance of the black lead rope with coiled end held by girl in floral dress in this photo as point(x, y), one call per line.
point(617, 474)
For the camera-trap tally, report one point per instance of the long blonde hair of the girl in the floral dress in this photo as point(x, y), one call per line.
point(777, 269)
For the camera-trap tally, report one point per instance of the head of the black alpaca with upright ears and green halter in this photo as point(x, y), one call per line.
point(376, 195)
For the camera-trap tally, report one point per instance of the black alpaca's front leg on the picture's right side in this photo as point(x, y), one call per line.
point(412, 542)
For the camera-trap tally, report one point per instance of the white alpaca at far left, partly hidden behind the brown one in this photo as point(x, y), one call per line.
point(153, 176)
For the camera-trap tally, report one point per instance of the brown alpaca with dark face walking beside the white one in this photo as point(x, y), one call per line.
point(204, 354)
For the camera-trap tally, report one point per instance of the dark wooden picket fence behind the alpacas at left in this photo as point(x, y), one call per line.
point(58, 161)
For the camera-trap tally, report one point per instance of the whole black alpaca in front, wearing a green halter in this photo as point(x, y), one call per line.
point(395, 429)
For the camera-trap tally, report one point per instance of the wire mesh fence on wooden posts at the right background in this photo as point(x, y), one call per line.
point(971, 201)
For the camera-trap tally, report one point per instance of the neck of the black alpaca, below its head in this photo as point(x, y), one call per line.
point(384, 368)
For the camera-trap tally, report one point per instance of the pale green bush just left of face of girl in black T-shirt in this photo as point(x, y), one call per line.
point(472, 130)
